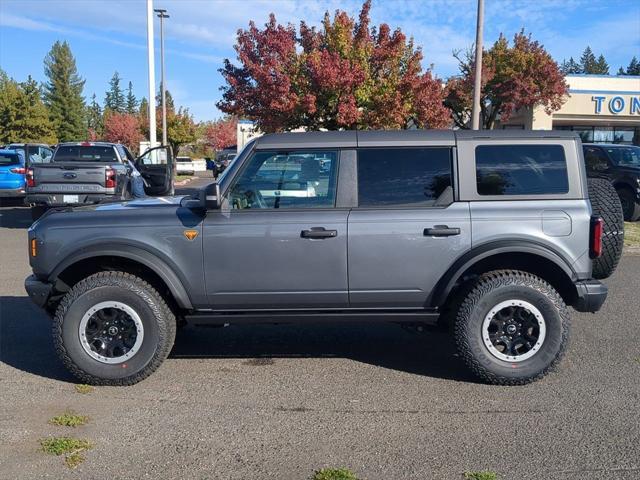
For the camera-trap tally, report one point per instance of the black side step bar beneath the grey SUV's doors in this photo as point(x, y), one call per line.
point(221, 317)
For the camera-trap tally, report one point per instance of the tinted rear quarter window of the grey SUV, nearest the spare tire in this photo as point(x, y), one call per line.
point(521, 170)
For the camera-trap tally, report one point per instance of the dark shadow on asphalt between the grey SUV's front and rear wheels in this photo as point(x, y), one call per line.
point(385, 345)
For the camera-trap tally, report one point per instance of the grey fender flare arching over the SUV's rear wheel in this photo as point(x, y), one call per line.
point(467, 260)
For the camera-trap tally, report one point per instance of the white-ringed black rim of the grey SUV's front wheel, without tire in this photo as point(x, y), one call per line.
point(89, 340)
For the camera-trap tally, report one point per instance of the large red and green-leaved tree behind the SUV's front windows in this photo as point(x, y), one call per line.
point(345, 75)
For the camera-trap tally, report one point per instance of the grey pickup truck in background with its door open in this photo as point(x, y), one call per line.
point(81, 173)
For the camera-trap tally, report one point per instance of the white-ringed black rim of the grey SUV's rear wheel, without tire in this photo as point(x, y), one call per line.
point(511, 327)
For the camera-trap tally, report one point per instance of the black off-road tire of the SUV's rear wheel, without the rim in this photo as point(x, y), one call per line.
point(489, 290)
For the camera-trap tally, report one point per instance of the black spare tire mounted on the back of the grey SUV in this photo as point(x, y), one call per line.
point(606, 204)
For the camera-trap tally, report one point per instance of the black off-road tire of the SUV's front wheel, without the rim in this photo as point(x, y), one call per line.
point(157, 318)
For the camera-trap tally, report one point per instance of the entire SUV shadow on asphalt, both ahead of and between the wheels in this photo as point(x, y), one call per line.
point(25, 344)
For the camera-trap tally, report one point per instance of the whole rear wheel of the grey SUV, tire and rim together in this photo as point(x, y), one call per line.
point(511, 328)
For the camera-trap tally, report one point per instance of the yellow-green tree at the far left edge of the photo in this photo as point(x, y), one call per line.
point(23, 116)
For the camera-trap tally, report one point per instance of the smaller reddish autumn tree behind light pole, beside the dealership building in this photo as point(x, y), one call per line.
point(513, 77)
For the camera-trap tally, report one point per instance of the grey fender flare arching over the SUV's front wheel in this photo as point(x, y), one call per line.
point(131, 252)
